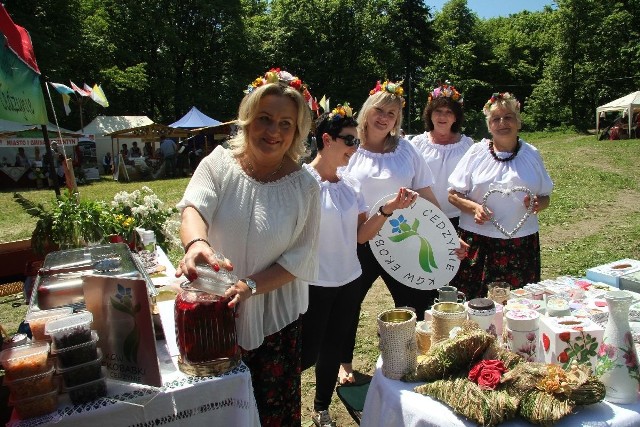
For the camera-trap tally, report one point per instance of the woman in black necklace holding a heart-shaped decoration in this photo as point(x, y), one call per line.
point(500, 185)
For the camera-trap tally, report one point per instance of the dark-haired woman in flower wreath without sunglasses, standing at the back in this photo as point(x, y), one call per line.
point(442, 145)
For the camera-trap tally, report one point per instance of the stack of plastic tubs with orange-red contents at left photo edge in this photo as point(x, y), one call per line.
point(29, 376)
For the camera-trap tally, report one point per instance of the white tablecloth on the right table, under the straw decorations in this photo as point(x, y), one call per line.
point(393, 403)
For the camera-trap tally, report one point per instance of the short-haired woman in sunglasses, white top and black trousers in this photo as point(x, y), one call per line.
point(333, 299)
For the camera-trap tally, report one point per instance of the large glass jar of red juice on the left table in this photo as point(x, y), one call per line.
point(205, 326)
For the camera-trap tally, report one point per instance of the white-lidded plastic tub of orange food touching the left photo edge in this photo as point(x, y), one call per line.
point(25, 360)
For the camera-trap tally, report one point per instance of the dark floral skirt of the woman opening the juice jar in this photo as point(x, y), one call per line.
point(276, 375)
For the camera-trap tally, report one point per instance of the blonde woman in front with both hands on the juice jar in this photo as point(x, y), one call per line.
point(257, 206)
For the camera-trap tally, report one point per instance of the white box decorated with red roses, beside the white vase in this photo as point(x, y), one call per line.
point(570, 338)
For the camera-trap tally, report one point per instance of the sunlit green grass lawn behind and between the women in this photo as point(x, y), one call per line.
point(594, 218)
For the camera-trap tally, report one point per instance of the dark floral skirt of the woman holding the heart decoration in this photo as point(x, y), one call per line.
point(515, 261)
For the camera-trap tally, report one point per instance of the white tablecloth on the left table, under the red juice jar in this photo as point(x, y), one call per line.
point(182, 400)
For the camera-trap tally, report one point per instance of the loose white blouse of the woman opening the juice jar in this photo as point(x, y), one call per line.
point(255, 225)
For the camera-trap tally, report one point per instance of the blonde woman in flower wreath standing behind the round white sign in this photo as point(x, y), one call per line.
point(386, 163)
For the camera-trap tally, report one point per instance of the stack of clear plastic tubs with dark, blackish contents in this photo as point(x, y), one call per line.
point(78, 360)
